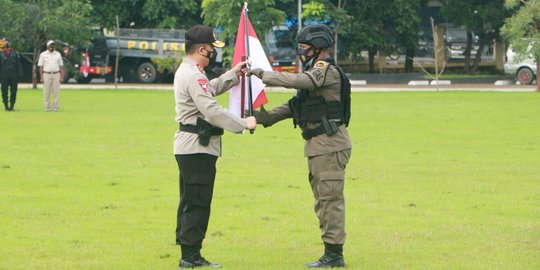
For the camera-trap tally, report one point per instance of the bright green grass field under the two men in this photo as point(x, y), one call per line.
point(437, 180)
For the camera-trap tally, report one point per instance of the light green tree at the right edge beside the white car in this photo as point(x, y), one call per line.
point(523, 30)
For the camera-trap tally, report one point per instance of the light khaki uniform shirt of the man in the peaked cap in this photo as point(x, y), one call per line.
point(195, 96)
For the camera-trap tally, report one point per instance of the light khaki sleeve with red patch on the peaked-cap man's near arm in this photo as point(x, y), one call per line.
point(201, 91)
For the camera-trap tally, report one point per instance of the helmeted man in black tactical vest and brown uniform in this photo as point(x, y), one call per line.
point(322, 110)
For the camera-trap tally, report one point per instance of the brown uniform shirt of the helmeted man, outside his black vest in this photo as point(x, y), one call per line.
point(322, 80)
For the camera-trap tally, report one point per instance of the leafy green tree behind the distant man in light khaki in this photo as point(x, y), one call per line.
point(65, 21)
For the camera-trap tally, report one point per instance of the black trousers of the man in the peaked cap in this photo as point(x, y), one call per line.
point(197, 175)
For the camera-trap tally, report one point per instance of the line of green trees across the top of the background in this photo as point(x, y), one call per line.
point(361, 25)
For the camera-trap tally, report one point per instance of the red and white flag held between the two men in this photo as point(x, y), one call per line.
point(258, 60)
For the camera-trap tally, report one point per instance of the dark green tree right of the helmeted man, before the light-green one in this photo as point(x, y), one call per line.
point(481, 17)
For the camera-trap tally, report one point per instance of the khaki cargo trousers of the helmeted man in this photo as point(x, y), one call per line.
point(327, 180)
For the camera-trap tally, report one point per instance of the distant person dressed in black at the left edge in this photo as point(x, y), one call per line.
point(10, 72)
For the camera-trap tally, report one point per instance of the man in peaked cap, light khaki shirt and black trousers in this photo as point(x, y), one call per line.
point(197, 144)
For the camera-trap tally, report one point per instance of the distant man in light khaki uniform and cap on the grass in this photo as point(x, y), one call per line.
point(51, 69)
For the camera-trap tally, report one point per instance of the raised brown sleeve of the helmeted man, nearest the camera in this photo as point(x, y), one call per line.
point(311, 79)
